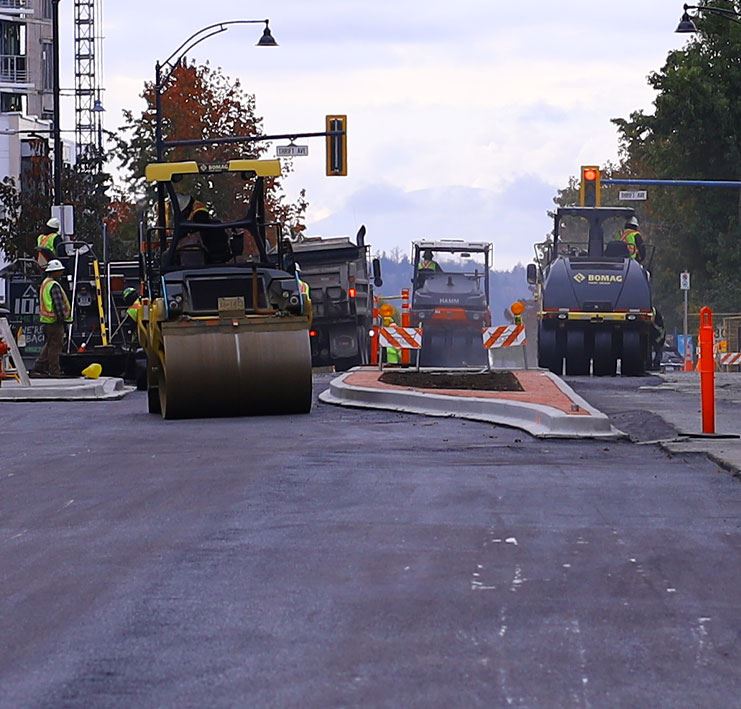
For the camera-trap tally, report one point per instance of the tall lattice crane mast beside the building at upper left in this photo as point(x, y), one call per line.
point(88, 74)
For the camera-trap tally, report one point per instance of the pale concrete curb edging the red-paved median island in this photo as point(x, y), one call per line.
point(538, 420)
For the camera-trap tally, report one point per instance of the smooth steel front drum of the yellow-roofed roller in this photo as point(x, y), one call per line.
point(241, 372)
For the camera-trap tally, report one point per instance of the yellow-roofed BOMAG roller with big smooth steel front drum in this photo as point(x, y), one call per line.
point(223, 321)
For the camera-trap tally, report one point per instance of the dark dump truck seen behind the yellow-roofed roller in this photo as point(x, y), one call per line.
point(340, 276)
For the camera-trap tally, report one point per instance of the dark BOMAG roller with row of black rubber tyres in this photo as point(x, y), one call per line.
point(595, 299)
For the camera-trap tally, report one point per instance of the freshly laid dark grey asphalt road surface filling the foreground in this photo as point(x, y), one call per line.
point(356, 557)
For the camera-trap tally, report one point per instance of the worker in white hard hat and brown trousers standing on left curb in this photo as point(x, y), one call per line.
point(55, 311)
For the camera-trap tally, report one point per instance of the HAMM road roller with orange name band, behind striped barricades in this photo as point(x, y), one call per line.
point(451, 302)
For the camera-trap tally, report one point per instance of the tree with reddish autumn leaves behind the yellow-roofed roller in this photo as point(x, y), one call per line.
point(198, 103)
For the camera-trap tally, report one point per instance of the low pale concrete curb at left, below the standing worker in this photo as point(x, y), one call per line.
point(101, 389)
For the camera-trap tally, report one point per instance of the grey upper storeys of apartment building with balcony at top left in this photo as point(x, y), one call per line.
point(26, 57)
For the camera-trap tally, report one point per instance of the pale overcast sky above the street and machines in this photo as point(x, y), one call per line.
point(464, 118)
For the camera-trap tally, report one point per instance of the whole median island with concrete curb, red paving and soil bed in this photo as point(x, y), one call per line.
point(544, 407)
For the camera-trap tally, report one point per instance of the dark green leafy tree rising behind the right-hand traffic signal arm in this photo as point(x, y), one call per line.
point(693, 133)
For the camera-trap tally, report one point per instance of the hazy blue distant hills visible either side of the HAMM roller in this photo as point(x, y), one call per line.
point(505, 286)
